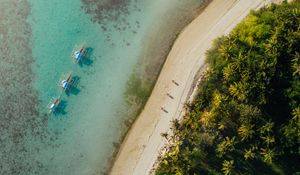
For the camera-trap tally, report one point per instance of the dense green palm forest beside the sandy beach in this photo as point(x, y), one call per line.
point(246, 117)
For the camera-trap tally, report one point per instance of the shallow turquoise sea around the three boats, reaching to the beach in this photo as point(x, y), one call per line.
point(37, 38)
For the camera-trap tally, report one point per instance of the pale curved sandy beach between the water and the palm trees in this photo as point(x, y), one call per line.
point(143, 142)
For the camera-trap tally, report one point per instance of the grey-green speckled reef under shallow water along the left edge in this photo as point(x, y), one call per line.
point(21, 123)
